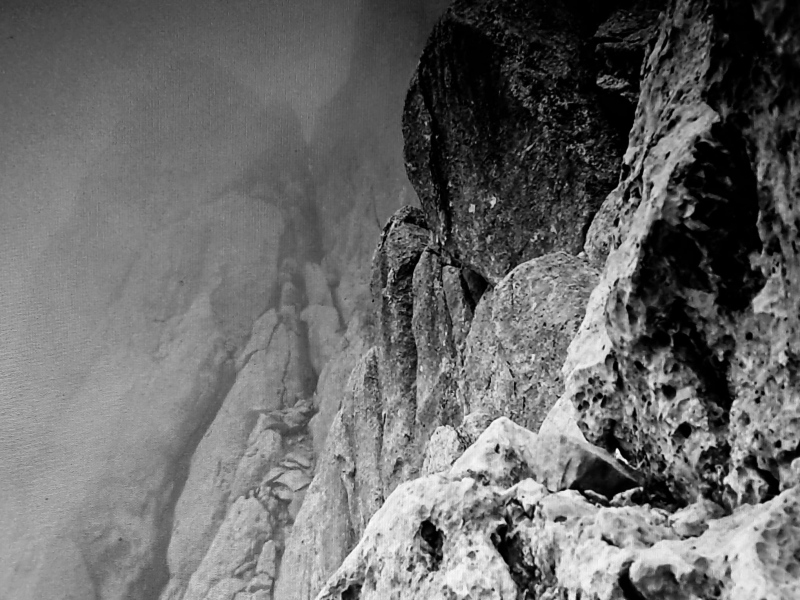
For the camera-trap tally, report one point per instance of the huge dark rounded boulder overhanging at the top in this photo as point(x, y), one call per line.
point(505, 141)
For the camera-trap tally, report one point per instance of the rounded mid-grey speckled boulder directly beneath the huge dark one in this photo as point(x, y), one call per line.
point(520, 335)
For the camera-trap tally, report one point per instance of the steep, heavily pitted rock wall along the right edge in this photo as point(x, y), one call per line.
point(685, 361)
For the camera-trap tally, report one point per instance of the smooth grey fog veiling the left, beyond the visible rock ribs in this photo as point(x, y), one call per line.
point(159, 163)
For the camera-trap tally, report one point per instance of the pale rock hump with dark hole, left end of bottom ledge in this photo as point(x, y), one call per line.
point(429, 540)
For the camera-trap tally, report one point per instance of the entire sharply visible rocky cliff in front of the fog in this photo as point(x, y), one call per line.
point(635, 307)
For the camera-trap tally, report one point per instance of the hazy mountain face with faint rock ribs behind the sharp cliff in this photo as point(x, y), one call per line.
point(173, 322)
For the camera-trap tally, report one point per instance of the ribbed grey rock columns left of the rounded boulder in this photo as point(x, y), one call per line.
point(401, 389)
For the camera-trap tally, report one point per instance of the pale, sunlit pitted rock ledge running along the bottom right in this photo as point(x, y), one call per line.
point(481, 531)
